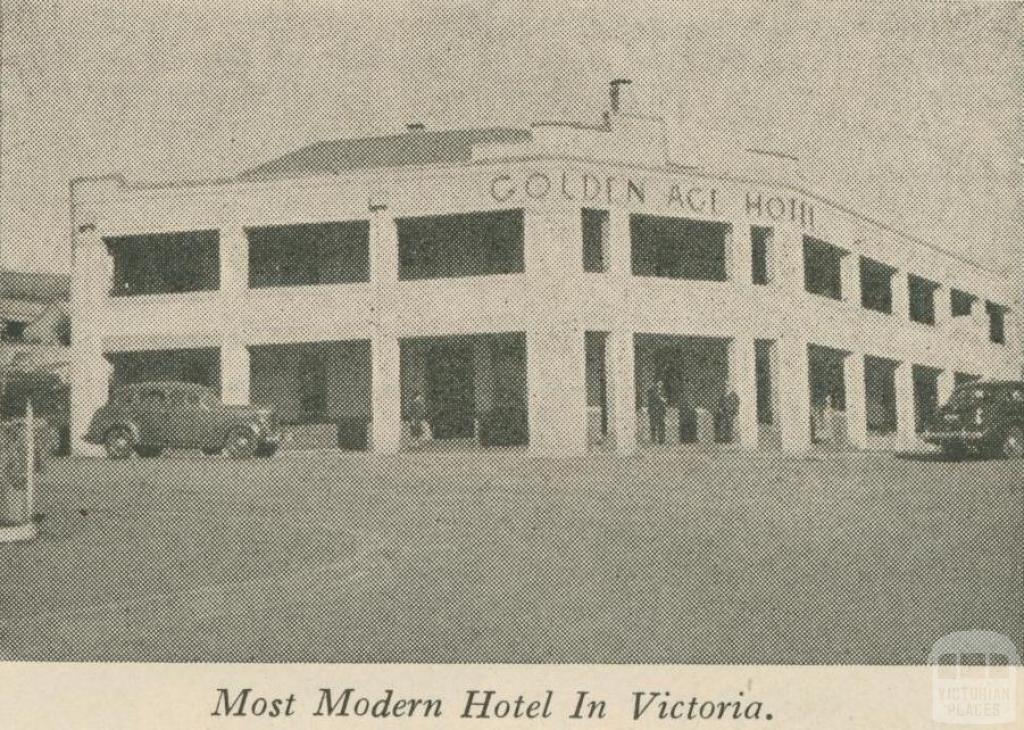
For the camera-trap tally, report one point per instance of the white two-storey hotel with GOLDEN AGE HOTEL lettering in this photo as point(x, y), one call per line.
point(532, 285)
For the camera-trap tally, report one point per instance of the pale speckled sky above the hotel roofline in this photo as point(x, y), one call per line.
point(912, 113)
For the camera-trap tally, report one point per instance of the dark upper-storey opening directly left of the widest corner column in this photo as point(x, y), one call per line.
point(462, 245)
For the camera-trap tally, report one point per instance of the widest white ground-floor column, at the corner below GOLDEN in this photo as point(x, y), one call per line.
point(557, 393)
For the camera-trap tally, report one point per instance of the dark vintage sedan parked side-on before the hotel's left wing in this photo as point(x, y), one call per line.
point(147, 418)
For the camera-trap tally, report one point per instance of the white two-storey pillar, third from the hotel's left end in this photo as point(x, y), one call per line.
point(386, 383)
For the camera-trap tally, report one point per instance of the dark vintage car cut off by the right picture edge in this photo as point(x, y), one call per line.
point(982, 417)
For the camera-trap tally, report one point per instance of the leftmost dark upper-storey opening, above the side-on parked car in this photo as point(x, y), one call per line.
point(165, 264)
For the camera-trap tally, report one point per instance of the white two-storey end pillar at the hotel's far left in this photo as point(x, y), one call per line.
point(91, 371)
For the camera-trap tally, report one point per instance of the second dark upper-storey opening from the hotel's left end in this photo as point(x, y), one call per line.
point(309, 254)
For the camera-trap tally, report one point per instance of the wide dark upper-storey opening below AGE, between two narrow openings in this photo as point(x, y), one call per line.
point(678, 248)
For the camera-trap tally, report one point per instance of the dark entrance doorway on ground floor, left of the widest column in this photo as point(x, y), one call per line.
point(450, 397)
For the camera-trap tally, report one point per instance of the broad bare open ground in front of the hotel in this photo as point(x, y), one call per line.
point(672, 556)
